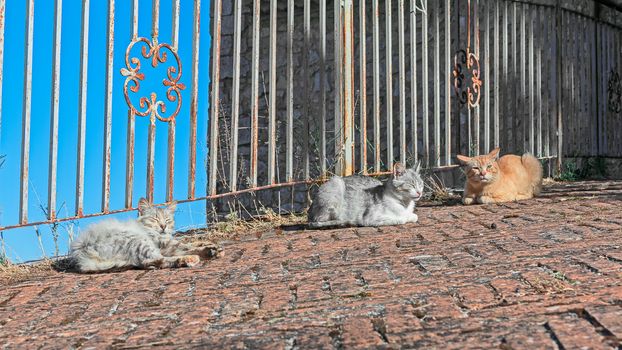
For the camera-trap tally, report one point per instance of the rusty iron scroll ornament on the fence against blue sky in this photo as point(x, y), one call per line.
point(151, 106)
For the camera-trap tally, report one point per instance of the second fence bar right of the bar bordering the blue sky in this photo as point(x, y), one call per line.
point(255, 92)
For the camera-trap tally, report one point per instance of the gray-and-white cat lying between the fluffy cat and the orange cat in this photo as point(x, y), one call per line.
point(365, 201)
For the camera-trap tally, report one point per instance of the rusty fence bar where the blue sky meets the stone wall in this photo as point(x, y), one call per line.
point(215, 97)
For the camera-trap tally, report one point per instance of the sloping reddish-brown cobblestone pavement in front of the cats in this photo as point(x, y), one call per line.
point(543, 273)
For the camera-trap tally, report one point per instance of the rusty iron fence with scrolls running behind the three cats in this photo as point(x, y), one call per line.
point(463, 76)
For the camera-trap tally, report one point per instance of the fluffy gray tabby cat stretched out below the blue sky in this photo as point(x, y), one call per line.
point(146, 242)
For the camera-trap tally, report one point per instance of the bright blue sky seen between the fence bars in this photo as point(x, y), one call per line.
point(23, 244)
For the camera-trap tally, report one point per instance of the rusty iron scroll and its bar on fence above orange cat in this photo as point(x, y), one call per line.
point(467, 82)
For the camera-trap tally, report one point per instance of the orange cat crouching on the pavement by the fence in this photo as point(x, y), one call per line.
point(491, 179)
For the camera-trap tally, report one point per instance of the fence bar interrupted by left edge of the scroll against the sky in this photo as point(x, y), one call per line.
point(131, 123)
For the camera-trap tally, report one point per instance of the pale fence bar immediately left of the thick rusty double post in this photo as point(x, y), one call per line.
point(323, 158)
